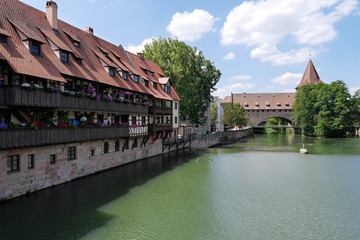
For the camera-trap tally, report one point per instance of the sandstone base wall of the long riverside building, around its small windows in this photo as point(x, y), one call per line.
point(44, 174)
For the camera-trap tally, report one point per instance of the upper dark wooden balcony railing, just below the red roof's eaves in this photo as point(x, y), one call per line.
point(16, 96)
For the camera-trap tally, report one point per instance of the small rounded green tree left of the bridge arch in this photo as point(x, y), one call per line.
point(234, 115)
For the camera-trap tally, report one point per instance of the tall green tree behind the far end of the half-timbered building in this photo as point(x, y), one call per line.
point(192, 76)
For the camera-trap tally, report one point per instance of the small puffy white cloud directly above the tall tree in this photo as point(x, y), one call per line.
point(191, 26)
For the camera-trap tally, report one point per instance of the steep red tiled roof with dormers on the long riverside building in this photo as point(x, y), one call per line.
point(34, 25)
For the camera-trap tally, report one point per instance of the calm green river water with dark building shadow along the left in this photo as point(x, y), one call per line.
point(257, 188)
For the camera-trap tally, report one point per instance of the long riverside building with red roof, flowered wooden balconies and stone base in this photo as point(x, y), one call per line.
point(71, 103)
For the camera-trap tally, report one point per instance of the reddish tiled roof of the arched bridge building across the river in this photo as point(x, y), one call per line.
point(264, 100)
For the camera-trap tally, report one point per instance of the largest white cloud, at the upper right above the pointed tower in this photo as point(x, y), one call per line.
point(262, 25)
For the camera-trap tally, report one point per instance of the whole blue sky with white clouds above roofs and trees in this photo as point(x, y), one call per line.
point(259, 46)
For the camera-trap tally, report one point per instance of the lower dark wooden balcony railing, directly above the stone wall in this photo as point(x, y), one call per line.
point(18, 138)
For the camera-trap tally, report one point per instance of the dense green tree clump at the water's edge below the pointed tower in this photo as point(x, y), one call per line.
point(325, 110)
